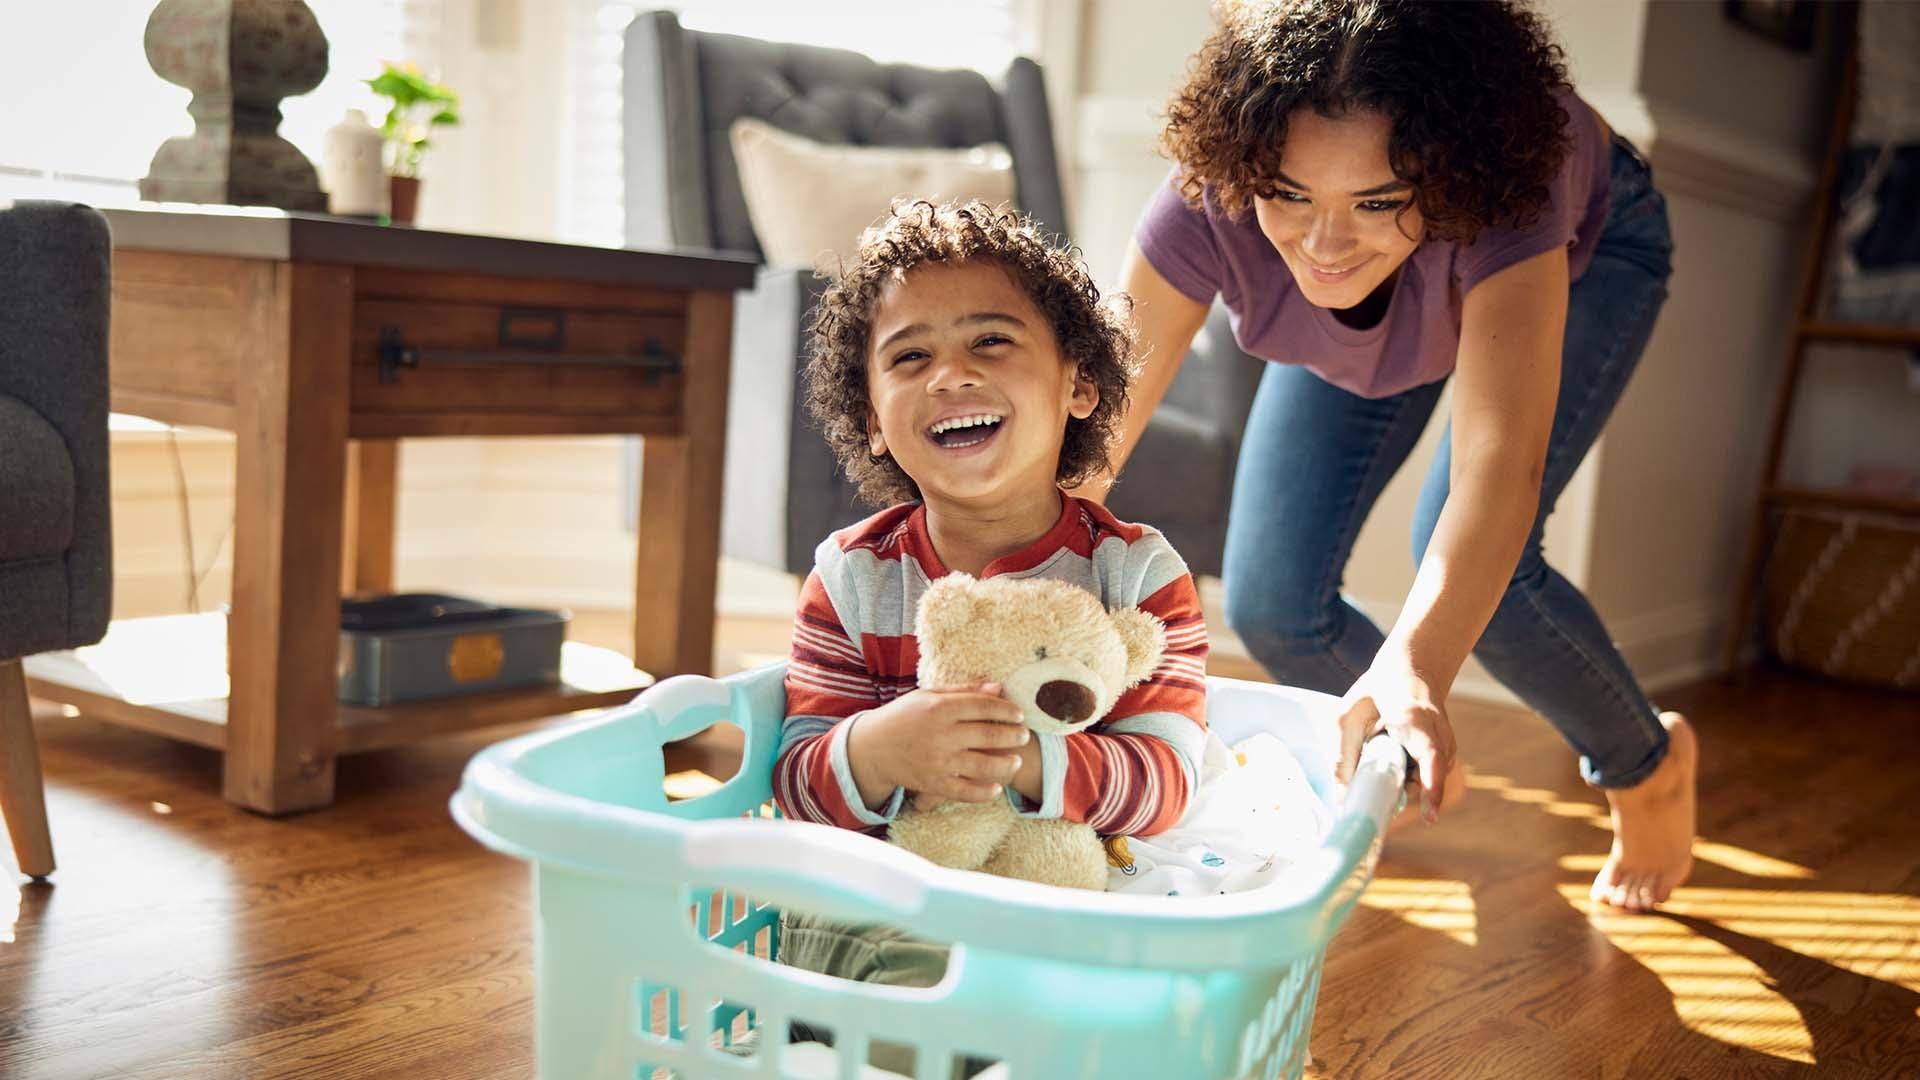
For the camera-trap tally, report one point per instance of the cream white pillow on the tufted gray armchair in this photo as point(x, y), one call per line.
point(809, 201)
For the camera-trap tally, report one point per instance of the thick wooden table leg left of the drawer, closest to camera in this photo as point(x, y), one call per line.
point(291, 504)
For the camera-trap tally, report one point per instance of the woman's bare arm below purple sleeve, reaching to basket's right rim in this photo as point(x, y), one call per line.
point(1506, 385)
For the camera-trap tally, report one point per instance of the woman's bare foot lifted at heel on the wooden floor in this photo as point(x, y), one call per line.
point(1654, 827)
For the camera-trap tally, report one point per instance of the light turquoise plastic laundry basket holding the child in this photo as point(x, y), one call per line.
point(1049, 983)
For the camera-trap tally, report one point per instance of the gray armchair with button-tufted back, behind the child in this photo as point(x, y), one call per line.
point(782, 487)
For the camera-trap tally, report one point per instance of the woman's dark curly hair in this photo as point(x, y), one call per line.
point(1470, 91)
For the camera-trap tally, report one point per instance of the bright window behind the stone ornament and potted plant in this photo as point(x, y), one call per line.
point(85, 110)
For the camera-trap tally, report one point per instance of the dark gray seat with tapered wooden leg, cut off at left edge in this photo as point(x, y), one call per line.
point(57, 566)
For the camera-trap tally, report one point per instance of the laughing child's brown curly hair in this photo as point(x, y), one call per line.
point(1092, 333)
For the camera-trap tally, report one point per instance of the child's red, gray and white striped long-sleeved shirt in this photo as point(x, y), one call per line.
point(853, 649)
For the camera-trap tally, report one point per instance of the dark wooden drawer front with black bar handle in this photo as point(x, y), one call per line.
point(433, 358)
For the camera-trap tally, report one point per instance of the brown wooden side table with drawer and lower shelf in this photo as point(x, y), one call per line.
point(322, 343)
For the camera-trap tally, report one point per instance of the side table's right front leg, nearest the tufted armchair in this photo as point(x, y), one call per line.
point(681, 506)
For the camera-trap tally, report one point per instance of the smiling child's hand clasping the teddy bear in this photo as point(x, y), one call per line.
point(942, 745)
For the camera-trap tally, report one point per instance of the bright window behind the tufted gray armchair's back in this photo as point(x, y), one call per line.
point(974, 34)
